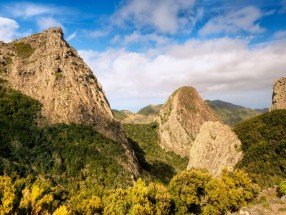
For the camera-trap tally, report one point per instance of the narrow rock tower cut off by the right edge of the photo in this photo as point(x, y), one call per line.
point(279, 94)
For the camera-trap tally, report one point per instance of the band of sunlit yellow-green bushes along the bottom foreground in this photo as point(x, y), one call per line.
point(190, 192)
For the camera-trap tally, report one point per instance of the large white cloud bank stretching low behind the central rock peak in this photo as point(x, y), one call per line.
point(215, 67)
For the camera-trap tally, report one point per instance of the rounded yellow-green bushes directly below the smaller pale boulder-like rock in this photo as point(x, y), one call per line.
point(197, 192)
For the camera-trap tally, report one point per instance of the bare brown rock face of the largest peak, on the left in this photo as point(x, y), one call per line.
point(46, 68)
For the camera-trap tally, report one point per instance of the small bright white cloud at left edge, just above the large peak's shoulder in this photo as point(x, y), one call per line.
point(8, 28)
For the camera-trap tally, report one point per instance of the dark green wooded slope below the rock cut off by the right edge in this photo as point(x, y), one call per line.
point(264, 146)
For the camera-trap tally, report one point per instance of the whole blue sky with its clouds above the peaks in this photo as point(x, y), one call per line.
point(143, 50)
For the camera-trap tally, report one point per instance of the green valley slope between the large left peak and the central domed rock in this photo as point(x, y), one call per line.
point(158, 163)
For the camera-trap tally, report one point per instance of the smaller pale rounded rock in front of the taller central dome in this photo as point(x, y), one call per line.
point(216, 147)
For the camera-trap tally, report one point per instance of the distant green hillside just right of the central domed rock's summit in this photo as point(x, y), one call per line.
point(231, 114)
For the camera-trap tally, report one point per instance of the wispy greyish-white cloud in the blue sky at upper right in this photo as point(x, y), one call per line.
point(243, 20)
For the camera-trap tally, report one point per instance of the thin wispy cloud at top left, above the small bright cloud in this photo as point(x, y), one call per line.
point(26, 10)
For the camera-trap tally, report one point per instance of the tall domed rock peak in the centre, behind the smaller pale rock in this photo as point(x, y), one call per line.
point(181, 118)
